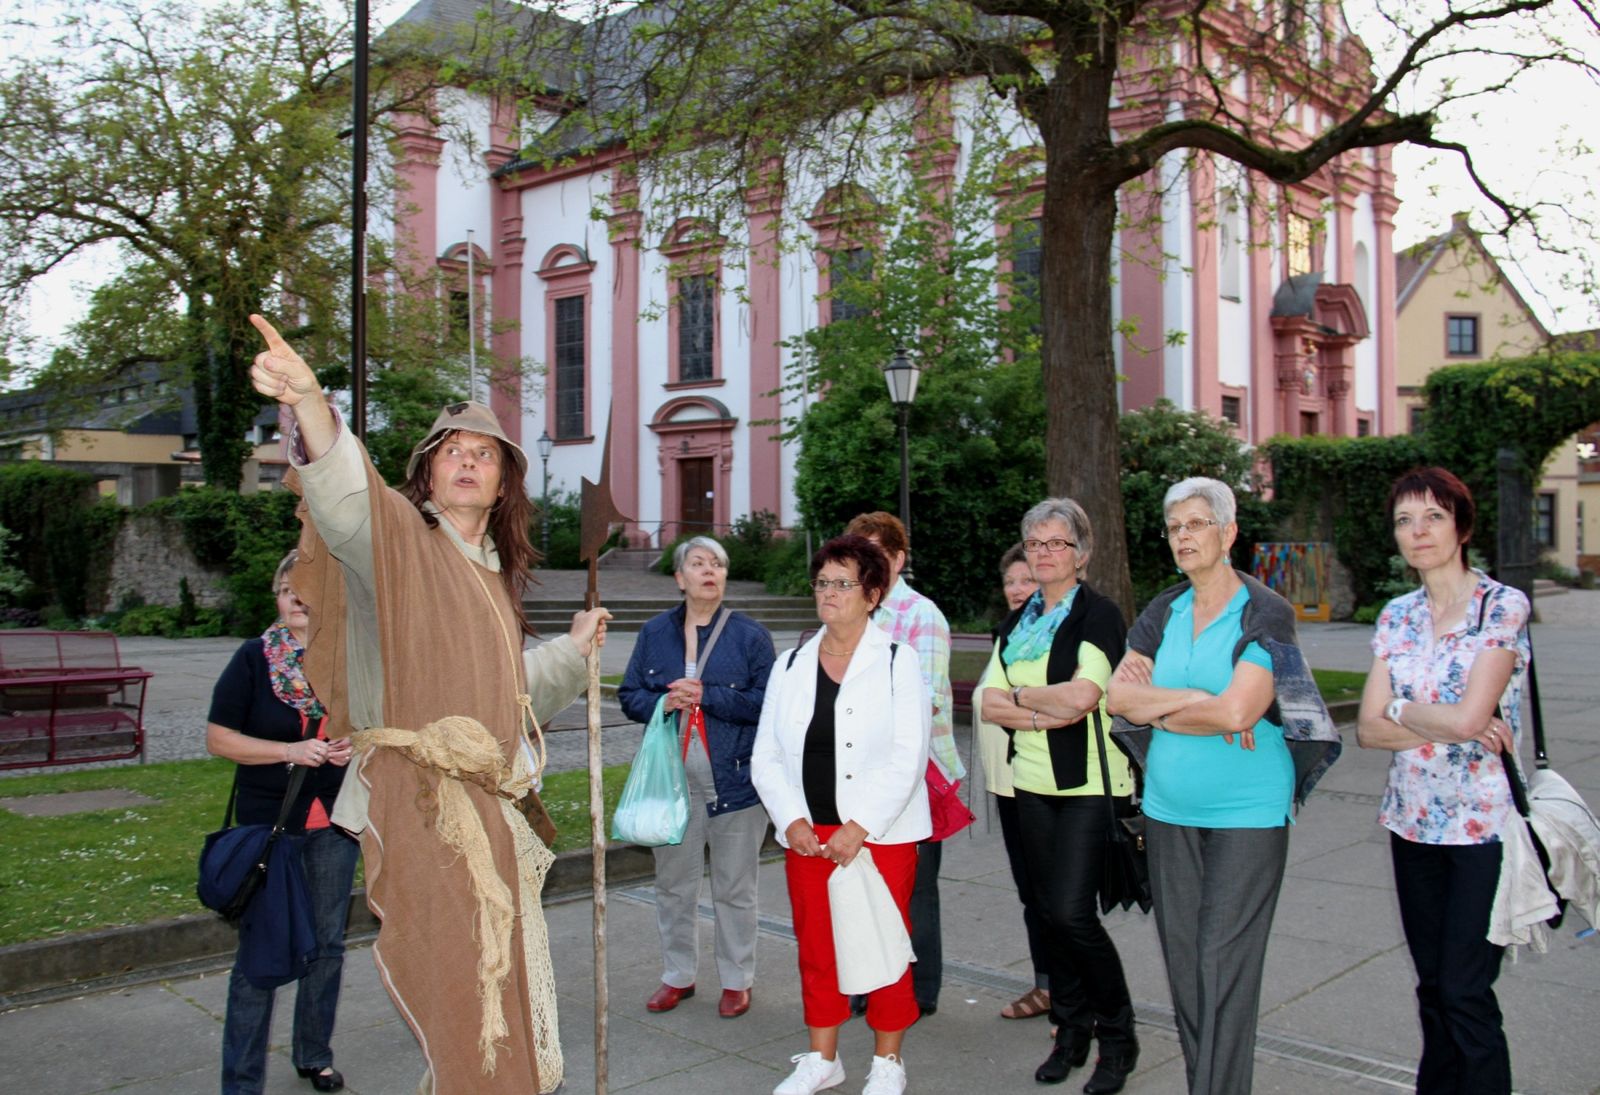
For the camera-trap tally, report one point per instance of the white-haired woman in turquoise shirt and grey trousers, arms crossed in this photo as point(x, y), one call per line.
point(1218, 787)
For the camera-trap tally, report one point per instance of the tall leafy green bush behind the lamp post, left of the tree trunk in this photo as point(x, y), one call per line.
point(978, 423)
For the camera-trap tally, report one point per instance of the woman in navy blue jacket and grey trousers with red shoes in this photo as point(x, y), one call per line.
point(711, 664)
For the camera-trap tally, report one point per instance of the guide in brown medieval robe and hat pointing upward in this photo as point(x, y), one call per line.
point(417, 649)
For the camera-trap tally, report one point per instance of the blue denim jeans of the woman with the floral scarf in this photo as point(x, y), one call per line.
point(329, 857)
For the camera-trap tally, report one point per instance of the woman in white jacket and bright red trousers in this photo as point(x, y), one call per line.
point(839, 763)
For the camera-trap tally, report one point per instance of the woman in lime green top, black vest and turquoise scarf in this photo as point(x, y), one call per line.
point(1049, 692)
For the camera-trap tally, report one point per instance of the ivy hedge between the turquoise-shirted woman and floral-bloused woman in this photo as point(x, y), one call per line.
point(1337, 489)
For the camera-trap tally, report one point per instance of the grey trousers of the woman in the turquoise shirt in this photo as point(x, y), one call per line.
point(1215, 894)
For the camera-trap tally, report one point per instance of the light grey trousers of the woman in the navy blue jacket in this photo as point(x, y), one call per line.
point(735, 841)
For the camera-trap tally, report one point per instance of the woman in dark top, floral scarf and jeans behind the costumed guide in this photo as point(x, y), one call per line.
point(266, 720)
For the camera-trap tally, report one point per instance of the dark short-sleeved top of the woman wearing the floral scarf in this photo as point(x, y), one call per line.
point(244, 700)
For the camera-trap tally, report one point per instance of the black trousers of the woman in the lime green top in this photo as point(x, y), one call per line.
point(1065, 848)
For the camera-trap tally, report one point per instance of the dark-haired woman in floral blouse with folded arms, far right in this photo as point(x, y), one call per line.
point(1446, 696)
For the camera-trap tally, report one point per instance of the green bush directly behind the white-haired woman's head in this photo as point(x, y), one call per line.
point(1161, 446)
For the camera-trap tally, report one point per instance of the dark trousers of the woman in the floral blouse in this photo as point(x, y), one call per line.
point(1446, 896)
